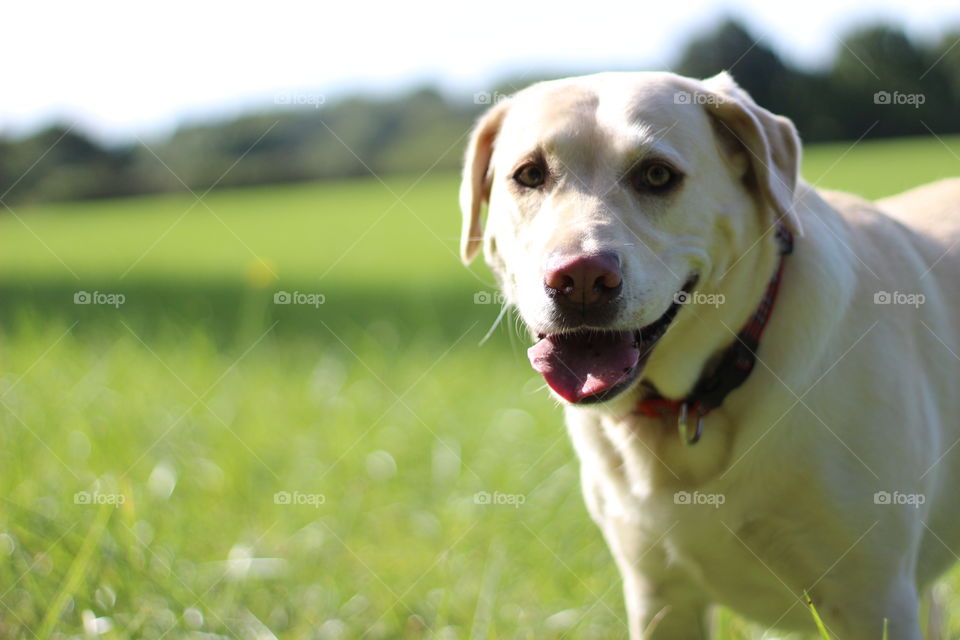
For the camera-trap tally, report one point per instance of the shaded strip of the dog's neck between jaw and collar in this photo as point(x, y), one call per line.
point(709, 324)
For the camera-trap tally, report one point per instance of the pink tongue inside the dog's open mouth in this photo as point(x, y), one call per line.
point(582, 364)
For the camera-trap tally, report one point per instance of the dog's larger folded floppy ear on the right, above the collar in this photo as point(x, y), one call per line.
point(771, 143)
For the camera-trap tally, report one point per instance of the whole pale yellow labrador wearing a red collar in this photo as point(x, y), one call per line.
point(760, 378)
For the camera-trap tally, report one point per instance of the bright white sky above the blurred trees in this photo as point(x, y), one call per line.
point(120, 70)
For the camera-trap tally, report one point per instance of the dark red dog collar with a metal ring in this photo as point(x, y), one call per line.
point(734, 366)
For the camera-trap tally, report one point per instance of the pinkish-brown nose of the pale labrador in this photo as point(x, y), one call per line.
point(583, 280)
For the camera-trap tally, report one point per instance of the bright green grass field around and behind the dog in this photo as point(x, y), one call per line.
point(200, 462)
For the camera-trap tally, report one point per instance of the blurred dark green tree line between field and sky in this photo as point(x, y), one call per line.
point(879, 84)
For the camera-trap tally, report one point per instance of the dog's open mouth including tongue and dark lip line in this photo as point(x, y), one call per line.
point(586, 365)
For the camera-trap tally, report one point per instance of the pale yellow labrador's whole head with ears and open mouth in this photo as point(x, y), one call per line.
point(610, 198)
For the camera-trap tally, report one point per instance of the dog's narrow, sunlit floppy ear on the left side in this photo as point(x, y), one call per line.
point(475, 184)
